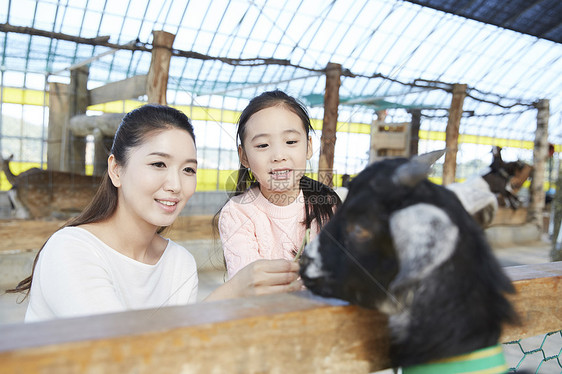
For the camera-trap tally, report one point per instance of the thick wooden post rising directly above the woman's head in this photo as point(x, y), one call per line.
point(157, 81)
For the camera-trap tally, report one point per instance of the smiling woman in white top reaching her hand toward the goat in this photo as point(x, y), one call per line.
point(111, 257)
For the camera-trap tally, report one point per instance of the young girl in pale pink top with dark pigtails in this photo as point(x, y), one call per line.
point(274, 203)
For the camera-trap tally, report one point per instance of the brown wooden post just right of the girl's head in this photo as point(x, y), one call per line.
point(328, 138)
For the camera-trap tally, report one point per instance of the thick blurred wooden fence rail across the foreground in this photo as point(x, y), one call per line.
point(289, 333)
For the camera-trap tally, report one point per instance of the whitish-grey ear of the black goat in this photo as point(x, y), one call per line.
point(424, 237)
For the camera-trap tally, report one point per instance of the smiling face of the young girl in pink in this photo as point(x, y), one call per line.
point(275, 148)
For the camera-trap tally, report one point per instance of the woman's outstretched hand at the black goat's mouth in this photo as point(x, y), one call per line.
point(260, 278)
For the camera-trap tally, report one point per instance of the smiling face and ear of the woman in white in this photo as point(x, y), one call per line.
point(158, 177)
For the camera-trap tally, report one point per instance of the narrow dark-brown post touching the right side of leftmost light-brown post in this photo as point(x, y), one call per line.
point(78, 103)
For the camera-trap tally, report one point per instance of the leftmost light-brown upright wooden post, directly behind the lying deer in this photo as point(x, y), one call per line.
point(57, 142)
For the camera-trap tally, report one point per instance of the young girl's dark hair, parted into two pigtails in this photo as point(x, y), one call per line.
point(319, 199)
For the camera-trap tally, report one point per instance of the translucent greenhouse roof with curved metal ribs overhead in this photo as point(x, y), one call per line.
point(395, 54)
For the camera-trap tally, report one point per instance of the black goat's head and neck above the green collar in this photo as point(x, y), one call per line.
point(407, 247)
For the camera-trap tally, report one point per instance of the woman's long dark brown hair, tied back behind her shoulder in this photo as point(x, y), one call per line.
point(135, 127)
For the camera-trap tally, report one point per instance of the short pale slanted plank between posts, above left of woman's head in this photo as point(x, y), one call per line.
point(122, 90)
